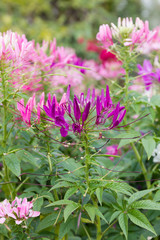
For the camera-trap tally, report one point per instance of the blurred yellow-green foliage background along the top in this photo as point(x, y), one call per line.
point(71, 22)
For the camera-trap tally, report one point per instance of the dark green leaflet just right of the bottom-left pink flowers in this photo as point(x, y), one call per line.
point(47, 221)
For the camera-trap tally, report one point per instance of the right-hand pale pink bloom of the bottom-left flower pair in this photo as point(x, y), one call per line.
point(23, 210)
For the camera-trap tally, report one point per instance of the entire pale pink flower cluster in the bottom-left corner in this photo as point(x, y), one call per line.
point(19, 210)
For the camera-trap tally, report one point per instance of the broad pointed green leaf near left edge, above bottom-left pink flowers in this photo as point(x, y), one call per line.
point(13, 163)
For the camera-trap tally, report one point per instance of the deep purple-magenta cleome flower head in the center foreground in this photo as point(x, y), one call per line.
point(85, 114)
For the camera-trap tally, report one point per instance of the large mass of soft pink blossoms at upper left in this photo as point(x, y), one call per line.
point(31, 67)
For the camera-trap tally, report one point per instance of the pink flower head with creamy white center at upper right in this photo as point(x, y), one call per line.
point(126, 33)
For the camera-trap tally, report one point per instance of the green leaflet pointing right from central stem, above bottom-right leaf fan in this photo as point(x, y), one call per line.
point(119, 187)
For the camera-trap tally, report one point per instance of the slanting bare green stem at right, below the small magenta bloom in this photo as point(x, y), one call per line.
point(144, 170)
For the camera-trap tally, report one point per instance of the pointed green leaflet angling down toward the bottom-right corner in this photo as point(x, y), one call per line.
point(140, 220)
